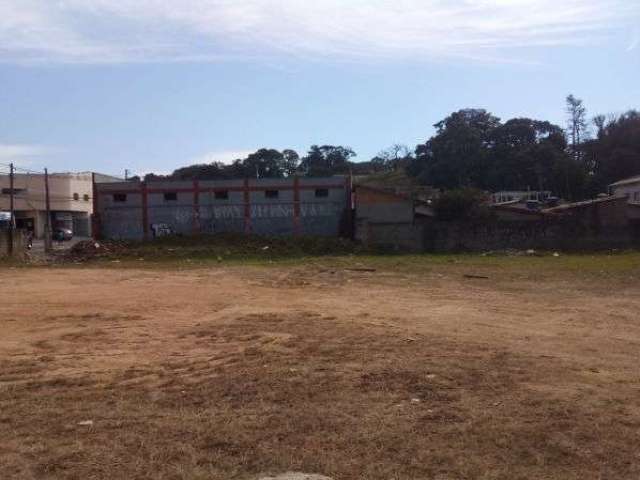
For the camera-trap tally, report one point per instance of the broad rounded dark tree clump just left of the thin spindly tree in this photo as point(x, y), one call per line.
point(472, 149)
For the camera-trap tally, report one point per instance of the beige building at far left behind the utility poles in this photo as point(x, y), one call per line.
point(71, 199)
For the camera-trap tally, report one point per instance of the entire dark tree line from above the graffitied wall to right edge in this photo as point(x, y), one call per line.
point(472, 148)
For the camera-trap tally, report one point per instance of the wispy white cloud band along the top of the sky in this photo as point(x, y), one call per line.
point(114, 31)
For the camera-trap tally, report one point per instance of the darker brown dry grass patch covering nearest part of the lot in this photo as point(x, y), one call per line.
point(303, 392)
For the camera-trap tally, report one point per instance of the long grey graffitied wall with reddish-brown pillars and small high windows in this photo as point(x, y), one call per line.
point(129, 210)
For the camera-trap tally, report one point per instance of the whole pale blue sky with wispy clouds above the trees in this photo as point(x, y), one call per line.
point(152, 85)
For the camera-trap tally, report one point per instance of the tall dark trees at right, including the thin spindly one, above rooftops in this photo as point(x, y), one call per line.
point(473, 149)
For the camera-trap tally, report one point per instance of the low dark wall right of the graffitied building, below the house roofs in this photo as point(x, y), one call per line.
point(385, 220)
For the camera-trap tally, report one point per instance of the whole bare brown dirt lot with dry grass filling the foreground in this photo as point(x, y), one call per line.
point(409, 372)
